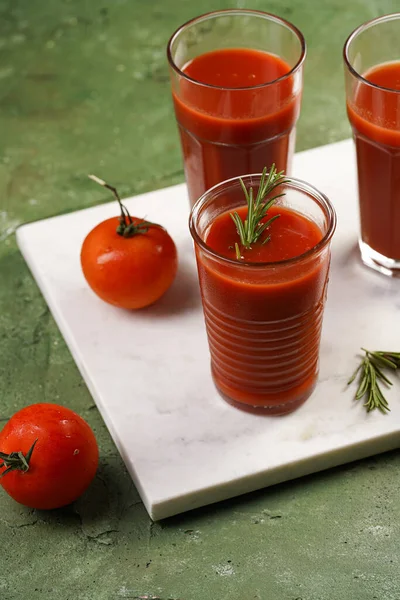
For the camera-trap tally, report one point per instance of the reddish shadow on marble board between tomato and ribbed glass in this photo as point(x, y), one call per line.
point(182, 296)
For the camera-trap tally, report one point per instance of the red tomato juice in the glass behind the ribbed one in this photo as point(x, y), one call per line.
point(228, 128)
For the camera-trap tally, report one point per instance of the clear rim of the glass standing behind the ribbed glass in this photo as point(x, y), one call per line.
point(237, 11)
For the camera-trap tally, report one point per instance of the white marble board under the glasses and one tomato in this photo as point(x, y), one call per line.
point(182, 444)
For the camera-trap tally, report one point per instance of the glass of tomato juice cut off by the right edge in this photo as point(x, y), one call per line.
point(372, 72)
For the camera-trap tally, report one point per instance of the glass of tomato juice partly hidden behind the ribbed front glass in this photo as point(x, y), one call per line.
point(236, 79)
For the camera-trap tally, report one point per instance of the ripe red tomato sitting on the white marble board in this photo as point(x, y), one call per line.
point(129, 271)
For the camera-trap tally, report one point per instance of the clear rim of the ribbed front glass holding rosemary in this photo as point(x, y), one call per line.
point(298, 184)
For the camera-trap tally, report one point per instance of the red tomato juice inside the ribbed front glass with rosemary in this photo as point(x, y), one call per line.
point(264, 324)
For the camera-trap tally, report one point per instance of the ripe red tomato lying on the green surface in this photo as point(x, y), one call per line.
point(63, 461)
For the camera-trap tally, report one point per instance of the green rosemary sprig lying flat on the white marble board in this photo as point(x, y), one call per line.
point(370, 372)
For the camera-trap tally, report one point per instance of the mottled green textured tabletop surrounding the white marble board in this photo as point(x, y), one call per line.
point(84, 87)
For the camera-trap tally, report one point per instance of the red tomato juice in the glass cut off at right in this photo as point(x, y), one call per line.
point(375, 118)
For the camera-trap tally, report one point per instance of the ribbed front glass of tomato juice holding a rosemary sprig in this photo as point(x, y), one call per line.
point(263, 319)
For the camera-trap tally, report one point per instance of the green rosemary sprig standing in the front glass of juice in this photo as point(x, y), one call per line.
point(251, 229)
